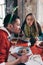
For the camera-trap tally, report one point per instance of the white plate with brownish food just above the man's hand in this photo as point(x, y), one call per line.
point(19, 50)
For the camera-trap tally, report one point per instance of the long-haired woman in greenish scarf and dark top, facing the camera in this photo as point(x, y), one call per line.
point(31, 28)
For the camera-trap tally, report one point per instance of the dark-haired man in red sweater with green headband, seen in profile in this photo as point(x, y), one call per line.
point(5, 32)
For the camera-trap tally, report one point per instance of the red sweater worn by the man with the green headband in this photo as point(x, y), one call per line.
point(4, 46)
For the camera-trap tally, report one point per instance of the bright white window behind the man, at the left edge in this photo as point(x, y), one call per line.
point(2, 11)
